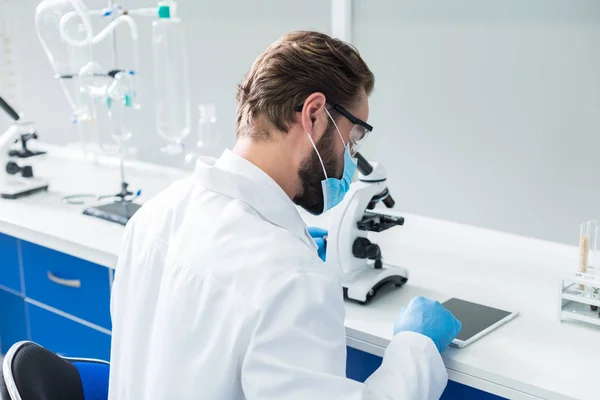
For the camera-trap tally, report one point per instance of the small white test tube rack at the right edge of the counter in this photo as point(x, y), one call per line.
point(580, 298)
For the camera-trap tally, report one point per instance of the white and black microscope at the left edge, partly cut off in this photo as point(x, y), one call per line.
point(18, 180)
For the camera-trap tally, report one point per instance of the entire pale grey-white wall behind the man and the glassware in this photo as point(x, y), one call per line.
point(485, 111)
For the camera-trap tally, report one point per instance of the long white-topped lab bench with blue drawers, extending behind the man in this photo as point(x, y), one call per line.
point(533, 356)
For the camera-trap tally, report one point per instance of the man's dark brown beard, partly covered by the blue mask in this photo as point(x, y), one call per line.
point(311, 173)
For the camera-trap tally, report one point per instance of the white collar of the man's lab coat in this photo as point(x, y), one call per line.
point(236, 177)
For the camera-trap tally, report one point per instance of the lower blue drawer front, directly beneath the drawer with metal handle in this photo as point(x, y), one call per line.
point(66, 337)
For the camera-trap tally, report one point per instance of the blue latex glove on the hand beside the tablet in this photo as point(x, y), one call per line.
point(428, 317)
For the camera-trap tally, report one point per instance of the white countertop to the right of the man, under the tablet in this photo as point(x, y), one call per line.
point(533, 354)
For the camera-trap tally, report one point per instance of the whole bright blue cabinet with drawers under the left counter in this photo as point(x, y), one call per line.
point(54, 299)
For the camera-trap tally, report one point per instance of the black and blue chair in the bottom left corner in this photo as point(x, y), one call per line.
point(31, 372)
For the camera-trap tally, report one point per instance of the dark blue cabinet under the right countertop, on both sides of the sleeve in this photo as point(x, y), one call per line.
point(360, 365)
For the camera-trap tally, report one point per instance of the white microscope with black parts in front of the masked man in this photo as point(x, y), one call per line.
point(349, 251)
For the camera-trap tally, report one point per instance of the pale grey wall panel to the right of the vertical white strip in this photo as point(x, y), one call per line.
point(487, 112)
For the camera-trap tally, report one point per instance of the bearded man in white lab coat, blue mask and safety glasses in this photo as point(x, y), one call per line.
point(219, 292)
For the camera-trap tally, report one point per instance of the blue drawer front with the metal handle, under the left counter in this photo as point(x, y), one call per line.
point(67, 283)
